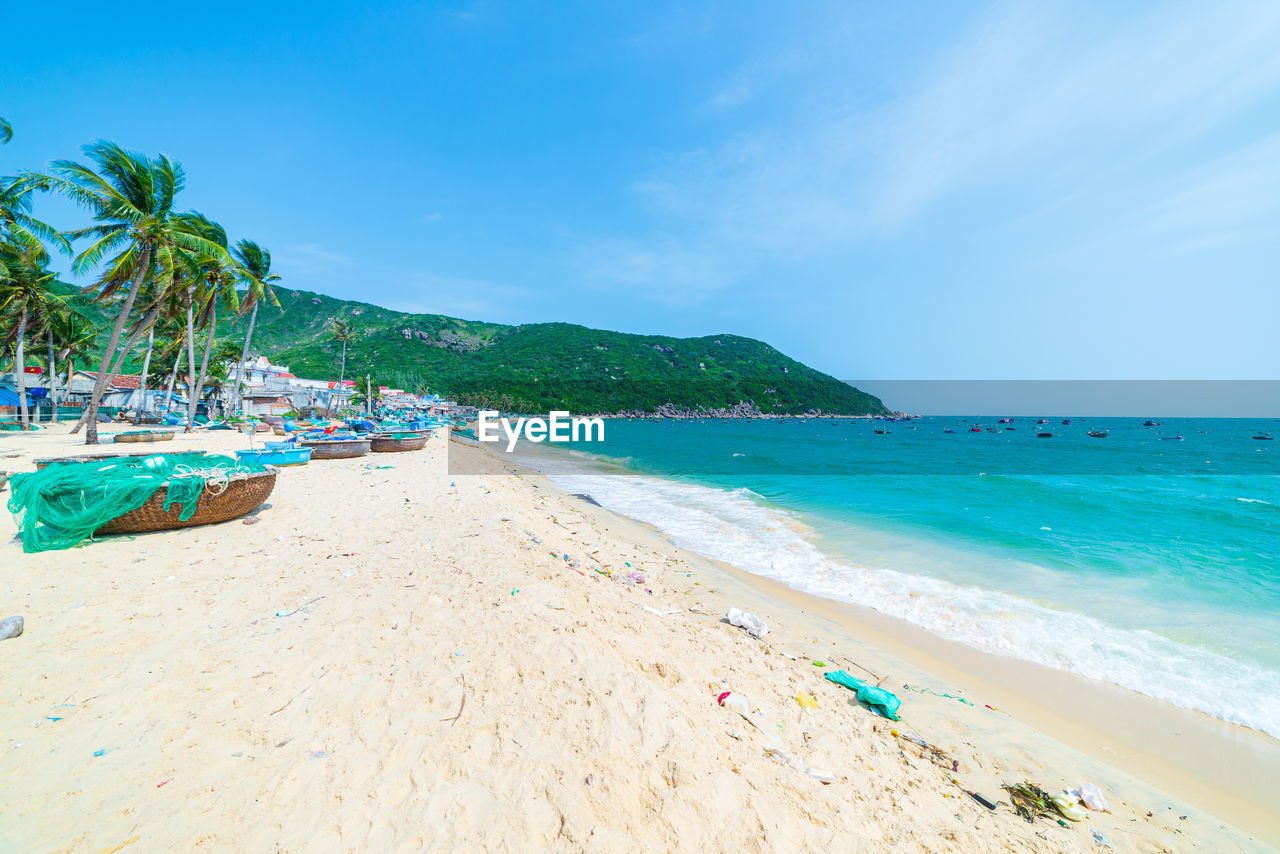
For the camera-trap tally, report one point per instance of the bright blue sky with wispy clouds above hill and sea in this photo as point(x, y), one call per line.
point(925, 191)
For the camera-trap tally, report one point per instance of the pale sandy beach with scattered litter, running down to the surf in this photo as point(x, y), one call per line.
point(399, 659)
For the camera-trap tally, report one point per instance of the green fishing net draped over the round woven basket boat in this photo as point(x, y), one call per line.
point(65, 504)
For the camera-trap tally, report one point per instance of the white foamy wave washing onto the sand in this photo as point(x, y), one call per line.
point(737, 527)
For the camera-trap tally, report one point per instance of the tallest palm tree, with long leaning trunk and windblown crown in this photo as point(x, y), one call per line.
point(131, 198)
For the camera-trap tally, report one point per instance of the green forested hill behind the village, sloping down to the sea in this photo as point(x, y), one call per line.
point(543, 367)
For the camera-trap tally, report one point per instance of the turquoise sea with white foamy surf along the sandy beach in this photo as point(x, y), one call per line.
point(1140, 559)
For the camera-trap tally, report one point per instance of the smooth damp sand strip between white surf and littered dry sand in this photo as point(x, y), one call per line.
point(1219, 768)
